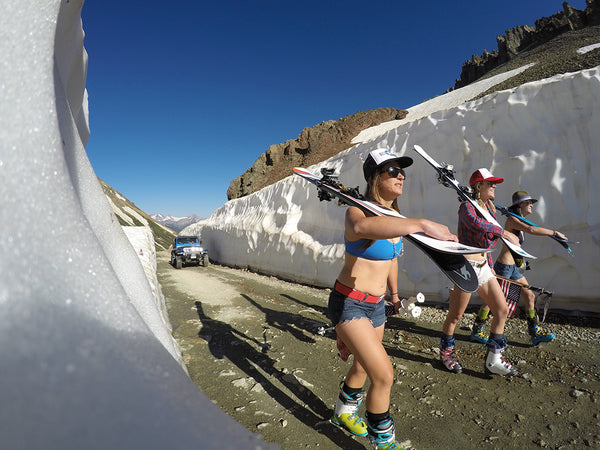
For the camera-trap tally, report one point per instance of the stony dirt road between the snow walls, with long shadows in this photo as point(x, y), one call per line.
point(251, 344)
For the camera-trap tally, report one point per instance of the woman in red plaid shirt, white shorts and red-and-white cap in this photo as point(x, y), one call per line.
point(476, 231)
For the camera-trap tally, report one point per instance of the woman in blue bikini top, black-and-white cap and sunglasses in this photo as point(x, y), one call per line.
point(356, 306)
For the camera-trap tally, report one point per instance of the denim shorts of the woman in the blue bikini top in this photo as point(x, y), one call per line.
point(342, 309)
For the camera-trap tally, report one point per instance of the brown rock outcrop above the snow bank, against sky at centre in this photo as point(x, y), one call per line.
point(313, 145)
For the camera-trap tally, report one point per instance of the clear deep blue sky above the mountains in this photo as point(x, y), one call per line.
point(184, 96)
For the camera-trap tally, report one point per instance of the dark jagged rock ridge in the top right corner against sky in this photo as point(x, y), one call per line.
point(523, 38)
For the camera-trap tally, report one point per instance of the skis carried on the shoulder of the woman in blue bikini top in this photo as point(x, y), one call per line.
point(447, 255)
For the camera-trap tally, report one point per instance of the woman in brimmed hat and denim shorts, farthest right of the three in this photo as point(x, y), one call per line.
point(509, 265)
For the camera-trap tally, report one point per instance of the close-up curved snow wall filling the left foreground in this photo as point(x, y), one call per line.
point(87, 357)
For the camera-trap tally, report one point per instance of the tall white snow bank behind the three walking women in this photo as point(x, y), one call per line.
point(541, 137)
